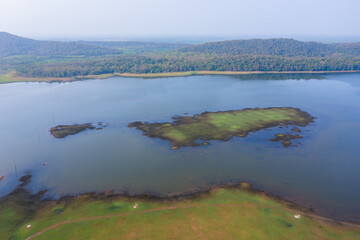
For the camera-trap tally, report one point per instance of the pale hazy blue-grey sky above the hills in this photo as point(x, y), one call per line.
point(56, 18)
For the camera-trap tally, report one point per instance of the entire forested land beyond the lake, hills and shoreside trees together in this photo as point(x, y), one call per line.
point(237, 55)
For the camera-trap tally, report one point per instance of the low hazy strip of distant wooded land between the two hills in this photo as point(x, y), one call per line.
point(137, 47)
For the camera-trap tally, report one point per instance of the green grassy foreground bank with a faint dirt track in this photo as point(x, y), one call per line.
point(236, 213)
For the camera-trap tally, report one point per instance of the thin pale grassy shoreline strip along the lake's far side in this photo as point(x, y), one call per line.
point(12, 77)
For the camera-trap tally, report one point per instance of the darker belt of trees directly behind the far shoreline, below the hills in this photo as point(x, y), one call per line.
point(143, 64)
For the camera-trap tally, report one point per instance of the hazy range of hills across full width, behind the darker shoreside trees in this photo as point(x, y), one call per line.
point(278, 47)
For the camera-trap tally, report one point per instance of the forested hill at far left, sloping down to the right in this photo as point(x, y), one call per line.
point(14, 45)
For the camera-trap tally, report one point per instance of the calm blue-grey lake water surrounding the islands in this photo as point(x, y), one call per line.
point(321, 173)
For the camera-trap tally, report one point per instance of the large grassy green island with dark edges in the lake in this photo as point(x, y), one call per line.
point(223, 125)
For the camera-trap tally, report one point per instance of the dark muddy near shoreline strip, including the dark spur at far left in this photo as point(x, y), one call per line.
point(186, 195)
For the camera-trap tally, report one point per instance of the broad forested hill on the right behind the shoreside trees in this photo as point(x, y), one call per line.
point(275, 47)
